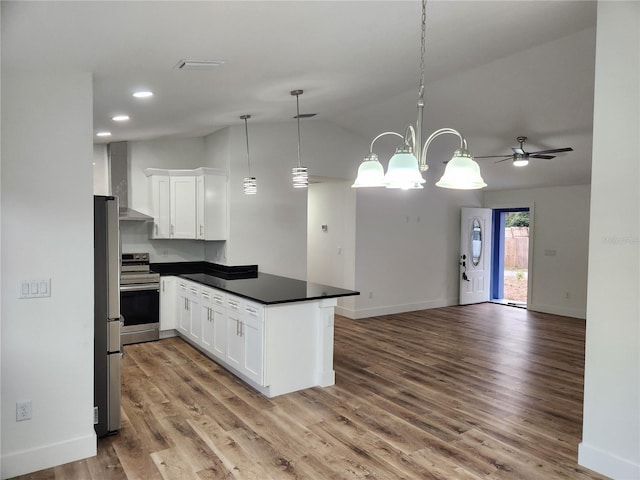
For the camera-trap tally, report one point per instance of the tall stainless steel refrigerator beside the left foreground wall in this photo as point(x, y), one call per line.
point(107, 346)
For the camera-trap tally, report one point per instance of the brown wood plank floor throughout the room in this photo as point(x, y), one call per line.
point(475, 392)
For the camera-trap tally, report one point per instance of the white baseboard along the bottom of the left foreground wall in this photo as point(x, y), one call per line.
point(47, 456)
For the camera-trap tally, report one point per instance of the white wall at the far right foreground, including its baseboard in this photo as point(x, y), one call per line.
point(611, 425)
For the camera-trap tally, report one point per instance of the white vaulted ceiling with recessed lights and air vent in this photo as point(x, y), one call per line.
point(494, 69)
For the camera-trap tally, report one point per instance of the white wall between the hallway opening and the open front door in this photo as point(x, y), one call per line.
point(407, 248)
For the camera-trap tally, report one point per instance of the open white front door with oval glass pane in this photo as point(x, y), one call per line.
point(475, 255)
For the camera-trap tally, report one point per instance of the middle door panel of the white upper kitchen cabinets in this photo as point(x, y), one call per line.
point(183, 207)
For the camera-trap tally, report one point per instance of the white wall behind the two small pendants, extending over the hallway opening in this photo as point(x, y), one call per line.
point(270, 228)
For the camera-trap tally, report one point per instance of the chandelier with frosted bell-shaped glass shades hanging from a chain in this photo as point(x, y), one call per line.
point(405, 167)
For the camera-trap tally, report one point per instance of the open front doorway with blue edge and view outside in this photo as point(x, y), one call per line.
point(510, 256)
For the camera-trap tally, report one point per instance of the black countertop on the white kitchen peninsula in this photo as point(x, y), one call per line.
point(247, 282)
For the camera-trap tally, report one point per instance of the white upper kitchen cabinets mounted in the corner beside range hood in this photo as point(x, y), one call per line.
point(188, 204)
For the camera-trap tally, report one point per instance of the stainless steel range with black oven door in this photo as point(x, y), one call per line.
point(139, 299)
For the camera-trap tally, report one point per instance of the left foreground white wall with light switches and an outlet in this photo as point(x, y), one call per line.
point(47, 232)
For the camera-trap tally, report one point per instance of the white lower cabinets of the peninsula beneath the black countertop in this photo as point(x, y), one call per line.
point(276, 349)
